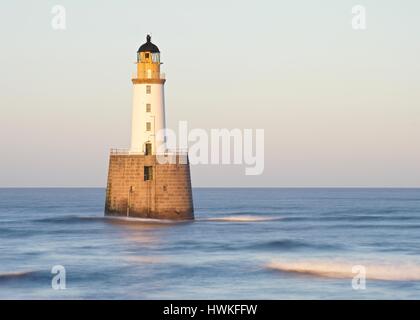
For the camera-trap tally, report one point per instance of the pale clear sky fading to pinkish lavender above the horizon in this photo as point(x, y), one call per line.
point(339, 107)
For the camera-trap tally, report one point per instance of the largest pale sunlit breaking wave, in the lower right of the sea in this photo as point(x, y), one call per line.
point(343, 270)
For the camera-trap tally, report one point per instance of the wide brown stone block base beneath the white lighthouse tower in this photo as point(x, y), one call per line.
point(140, 186)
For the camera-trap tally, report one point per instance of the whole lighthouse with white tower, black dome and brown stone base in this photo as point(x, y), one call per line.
point(139, 183)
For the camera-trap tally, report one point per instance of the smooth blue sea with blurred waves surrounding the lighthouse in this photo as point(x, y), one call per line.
point(245, 243)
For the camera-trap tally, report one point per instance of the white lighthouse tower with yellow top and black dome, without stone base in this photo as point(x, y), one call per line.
point(148, 117)
